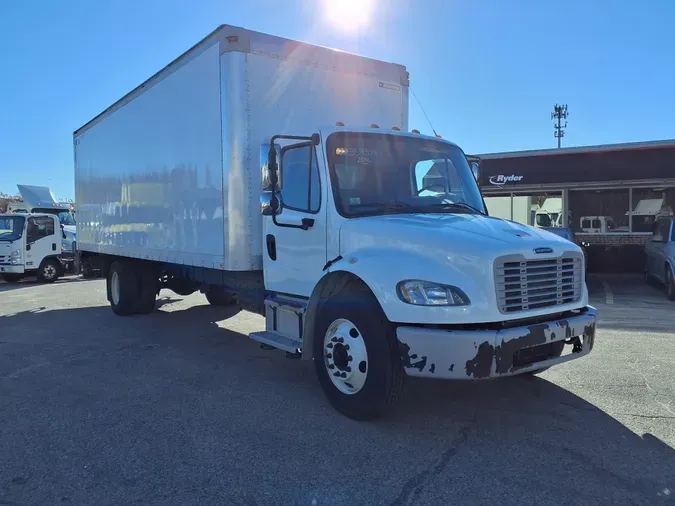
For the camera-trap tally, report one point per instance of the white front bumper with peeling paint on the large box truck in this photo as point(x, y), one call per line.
point(480, 354)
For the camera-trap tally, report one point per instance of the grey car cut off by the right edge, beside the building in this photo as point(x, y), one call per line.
point(660, 253)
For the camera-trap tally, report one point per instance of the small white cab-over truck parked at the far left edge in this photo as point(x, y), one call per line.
point(30, 245)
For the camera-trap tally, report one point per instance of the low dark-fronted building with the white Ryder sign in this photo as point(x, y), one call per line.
point(609, 196)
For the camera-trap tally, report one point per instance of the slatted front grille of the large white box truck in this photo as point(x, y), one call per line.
point(534, 284)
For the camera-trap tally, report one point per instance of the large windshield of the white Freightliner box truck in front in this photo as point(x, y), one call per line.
point(376, 173)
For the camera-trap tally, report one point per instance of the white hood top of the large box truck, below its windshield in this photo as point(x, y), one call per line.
point(459, 233)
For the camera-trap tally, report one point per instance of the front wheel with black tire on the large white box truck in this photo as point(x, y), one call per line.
point(370, 368)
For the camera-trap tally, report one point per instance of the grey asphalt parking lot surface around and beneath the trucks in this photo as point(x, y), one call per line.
point(179, 407)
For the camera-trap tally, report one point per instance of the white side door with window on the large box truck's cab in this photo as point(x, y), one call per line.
point(294, 242)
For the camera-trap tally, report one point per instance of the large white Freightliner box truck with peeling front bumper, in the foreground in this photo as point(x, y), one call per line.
point(219, 174)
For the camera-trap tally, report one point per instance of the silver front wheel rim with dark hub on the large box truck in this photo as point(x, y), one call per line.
point(345, 356)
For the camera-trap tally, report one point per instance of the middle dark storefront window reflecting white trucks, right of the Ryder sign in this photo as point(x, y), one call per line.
point(599, 211)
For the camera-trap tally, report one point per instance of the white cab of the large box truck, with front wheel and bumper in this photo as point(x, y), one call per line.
point(371, 262)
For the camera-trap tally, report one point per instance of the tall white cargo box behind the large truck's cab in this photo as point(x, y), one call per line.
point(171, 172)
